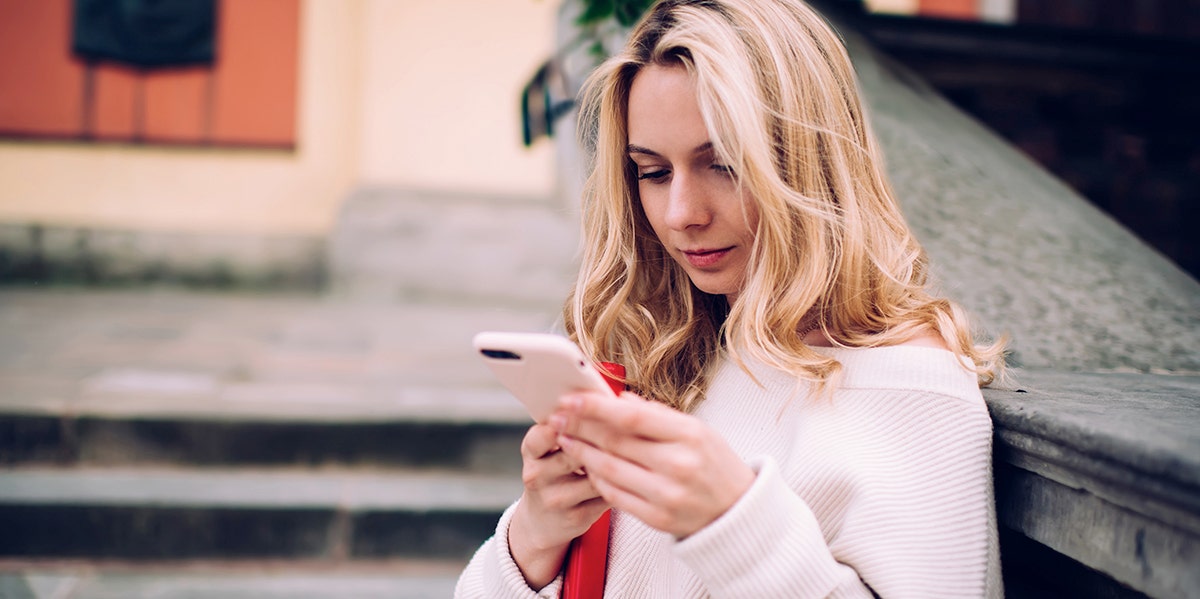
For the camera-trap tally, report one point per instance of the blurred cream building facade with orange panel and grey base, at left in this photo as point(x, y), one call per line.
point(247, 164)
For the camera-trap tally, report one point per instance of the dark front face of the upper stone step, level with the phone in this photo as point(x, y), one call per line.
point(155, 439)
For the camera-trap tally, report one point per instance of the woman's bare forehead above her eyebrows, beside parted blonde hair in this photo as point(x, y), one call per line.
point(663, 113)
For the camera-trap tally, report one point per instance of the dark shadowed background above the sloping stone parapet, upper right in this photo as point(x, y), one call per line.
point(1101, 93)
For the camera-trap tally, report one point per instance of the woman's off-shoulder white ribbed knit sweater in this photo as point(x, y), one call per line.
point(885, 487)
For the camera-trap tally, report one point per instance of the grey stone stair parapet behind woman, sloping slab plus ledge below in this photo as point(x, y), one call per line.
point(1097, 478)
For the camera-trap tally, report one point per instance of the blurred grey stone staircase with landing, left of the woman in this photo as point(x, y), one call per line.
point(158, 440)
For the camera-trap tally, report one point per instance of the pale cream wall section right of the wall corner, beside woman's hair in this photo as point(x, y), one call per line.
point(442, 95)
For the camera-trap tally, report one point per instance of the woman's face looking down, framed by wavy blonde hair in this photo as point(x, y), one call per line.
point(688, 195)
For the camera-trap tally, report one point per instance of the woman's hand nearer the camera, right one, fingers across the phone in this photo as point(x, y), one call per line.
point(665, 468)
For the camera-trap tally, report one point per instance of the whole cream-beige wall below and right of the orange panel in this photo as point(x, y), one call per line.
point(389, 94)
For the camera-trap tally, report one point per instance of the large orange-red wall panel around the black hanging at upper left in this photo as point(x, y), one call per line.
point(248, 98)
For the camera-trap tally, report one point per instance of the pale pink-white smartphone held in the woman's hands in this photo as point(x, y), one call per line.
point(538, 369)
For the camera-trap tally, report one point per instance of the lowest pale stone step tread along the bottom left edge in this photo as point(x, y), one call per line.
point(392, 579)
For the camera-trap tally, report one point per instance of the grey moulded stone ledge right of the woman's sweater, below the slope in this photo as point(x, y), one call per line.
point(1106, 471)
